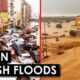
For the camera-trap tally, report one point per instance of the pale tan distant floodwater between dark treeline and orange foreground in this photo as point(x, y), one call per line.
point(53, 31)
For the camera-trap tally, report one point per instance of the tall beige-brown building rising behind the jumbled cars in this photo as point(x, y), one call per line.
point(25, 13)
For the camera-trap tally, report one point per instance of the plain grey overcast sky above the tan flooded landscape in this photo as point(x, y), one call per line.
point(60, 7)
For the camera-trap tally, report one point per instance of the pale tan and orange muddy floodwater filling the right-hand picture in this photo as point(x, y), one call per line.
point(65, 51)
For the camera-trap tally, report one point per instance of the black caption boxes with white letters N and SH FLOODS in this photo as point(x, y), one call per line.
point(26, 69)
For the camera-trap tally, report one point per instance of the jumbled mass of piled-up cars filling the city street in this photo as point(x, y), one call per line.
point(22, 44)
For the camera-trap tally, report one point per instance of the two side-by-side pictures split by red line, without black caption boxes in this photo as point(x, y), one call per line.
point(42, 32)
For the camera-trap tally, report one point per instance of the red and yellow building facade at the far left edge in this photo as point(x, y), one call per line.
point(3, 15)
